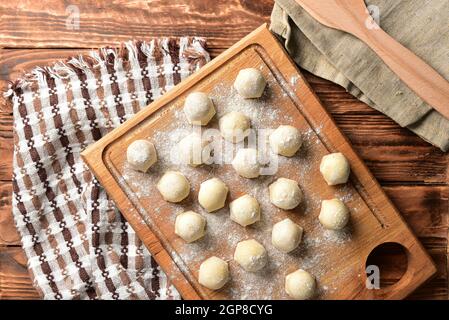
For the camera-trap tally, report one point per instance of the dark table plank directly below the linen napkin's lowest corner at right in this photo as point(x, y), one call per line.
point(393, 154)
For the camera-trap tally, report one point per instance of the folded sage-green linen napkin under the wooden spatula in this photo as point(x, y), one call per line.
point(421, 26)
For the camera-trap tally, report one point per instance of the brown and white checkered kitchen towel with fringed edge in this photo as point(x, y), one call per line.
point(78, 244)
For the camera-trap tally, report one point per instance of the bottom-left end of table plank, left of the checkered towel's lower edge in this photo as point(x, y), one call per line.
point(15, 282)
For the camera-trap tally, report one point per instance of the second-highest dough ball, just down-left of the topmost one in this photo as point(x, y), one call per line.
point(199, 108)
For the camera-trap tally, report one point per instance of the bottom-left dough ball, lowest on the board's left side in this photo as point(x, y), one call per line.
point(214, 273)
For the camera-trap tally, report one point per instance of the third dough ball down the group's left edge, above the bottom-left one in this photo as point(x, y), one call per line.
point(190, 226)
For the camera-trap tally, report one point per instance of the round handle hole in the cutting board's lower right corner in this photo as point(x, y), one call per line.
point(391, 259)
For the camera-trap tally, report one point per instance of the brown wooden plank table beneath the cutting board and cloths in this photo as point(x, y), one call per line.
point(413, 173)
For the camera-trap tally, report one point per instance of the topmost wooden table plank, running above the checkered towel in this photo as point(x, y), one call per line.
point(109, 23)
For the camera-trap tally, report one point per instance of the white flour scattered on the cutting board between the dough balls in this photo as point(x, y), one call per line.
point(314, 253)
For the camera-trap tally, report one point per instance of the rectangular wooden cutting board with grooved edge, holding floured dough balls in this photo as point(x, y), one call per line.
point(337, 259)
